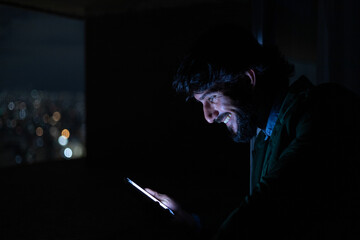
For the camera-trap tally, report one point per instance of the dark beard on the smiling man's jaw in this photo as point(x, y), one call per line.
point(246, 125)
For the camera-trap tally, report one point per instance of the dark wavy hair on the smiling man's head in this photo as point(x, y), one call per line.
point(221, 56)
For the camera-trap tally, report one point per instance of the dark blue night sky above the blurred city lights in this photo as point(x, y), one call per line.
point(40, 51)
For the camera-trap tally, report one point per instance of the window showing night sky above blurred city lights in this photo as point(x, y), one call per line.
point(42, 87)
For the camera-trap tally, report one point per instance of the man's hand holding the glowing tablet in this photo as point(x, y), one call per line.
point(181, 216)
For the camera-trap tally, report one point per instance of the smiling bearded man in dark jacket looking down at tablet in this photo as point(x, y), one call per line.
point(304, 181)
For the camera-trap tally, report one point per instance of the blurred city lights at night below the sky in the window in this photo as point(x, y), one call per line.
point(40, 126)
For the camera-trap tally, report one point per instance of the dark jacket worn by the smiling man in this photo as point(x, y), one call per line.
point(306, 174)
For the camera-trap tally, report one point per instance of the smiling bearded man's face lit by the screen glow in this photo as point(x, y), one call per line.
point(220, 108)
